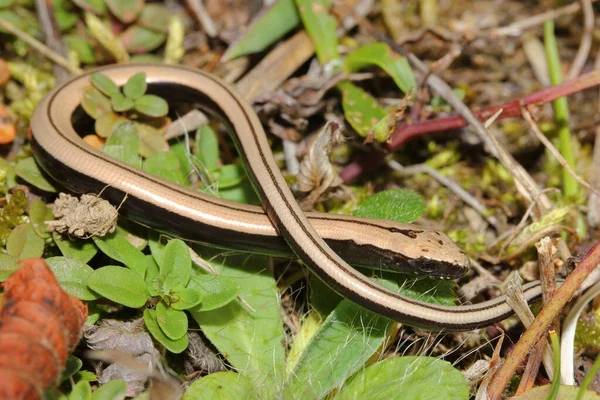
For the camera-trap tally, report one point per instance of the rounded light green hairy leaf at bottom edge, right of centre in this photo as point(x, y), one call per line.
point(415, 377)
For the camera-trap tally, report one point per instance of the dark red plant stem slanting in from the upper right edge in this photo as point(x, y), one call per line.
point(408, 131)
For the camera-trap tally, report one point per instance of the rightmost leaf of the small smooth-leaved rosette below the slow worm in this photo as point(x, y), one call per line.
point(216, 290)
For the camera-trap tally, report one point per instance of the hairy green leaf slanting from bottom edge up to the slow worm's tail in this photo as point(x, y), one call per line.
point(347, 339)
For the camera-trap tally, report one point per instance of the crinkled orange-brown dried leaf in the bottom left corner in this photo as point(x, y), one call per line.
point(39, 324)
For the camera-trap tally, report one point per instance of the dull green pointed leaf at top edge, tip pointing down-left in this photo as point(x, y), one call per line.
point(265, 30)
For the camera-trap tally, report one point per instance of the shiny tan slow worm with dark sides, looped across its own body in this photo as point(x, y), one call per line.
point(194, 216)
